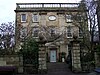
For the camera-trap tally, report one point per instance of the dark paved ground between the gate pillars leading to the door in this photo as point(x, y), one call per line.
point(58, 69)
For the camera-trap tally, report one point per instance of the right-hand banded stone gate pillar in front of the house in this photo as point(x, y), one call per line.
point(76, 63)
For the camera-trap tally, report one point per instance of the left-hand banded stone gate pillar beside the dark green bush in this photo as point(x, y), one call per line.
point(42, 58)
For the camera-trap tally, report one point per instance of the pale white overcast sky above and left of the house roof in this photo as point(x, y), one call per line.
point(7, 7)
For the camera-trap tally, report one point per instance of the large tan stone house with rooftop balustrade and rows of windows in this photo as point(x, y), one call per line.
point(56, 22)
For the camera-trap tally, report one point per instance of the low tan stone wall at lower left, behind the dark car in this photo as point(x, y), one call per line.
point(12, 60)
